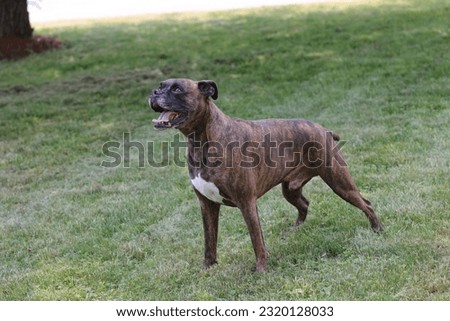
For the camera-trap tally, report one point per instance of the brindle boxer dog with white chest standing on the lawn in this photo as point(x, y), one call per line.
point(233, 162)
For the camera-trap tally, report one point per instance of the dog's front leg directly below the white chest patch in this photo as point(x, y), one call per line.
point(210, 216)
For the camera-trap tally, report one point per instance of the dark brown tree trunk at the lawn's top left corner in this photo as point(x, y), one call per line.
point(14, 19)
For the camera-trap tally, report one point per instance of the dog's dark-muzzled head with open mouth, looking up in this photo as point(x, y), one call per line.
point(180, 101)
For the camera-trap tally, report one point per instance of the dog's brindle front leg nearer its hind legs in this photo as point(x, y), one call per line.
point(250, 213)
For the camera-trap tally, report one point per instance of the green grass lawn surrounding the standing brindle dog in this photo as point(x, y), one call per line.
point(377, 74)
